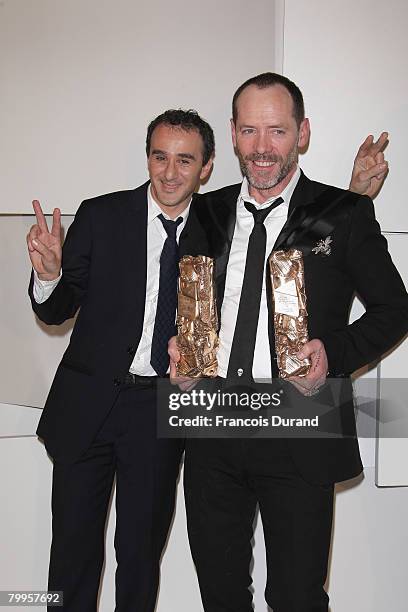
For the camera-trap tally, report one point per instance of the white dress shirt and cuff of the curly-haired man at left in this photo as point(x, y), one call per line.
point(156, 236)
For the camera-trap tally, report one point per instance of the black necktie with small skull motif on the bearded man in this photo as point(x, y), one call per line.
point(243, 345)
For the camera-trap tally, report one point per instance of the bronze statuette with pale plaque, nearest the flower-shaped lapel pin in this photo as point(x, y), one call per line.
point(290, 318)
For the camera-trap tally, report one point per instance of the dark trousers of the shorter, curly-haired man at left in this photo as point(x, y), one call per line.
point(146, 470)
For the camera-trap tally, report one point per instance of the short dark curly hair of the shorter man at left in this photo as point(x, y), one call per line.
point(186, 120)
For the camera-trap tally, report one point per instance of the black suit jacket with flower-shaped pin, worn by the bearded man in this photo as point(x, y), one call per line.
point(359, 262)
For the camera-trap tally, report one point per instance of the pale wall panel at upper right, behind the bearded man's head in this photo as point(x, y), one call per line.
point(349, 59)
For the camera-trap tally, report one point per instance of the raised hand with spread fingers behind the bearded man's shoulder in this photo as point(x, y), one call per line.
point(370, 167)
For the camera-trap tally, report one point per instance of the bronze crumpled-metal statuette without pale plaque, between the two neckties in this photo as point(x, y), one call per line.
point(197, 320)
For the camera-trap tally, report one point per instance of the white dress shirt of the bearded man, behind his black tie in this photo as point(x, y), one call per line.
point(244, 224)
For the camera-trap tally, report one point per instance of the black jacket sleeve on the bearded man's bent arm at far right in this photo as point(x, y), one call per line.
point(379, 285)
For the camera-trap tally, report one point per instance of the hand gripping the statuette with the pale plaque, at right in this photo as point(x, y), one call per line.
point(310, 384)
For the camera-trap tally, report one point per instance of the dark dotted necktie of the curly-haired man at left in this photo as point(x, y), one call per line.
point(164, 323)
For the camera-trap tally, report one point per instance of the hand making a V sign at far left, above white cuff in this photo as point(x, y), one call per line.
point(45, 247)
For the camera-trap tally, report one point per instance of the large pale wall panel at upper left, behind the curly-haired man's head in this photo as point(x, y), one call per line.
point(82, 79)
